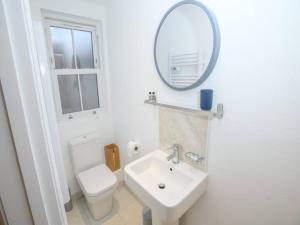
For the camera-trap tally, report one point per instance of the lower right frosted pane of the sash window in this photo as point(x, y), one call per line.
point(89, 91)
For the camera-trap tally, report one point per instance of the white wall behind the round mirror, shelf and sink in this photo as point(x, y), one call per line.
point(254, 150)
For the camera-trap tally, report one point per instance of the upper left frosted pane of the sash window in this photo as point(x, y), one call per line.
point(62, 47)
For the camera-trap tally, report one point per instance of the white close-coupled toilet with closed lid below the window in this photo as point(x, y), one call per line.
point(95, 179)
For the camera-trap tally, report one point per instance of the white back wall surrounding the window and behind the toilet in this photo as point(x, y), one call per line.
point(101, 123)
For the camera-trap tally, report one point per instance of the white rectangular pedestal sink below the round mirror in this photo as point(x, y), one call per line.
point(168, 189)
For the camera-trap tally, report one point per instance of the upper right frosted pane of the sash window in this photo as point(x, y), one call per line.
point(84, 49)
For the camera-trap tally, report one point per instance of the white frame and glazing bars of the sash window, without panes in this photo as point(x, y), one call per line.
point(53, 19)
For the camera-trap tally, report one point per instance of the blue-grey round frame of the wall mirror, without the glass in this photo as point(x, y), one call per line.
point(216, 43)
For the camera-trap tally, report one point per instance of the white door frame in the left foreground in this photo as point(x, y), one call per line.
point(26, 110)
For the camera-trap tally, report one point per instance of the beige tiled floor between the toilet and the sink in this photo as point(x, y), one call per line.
point(127, 211)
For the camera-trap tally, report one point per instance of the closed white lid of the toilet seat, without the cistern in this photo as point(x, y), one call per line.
point(97, 180)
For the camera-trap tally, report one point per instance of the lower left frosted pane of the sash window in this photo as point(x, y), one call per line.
point(69, 93)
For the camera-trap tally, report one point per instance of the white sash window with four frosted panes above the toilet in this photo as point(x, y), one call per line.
point(74, 54)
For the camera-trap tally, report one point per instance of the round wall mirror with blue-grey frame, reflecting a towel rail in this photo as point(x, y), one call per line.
point(187, 45)
